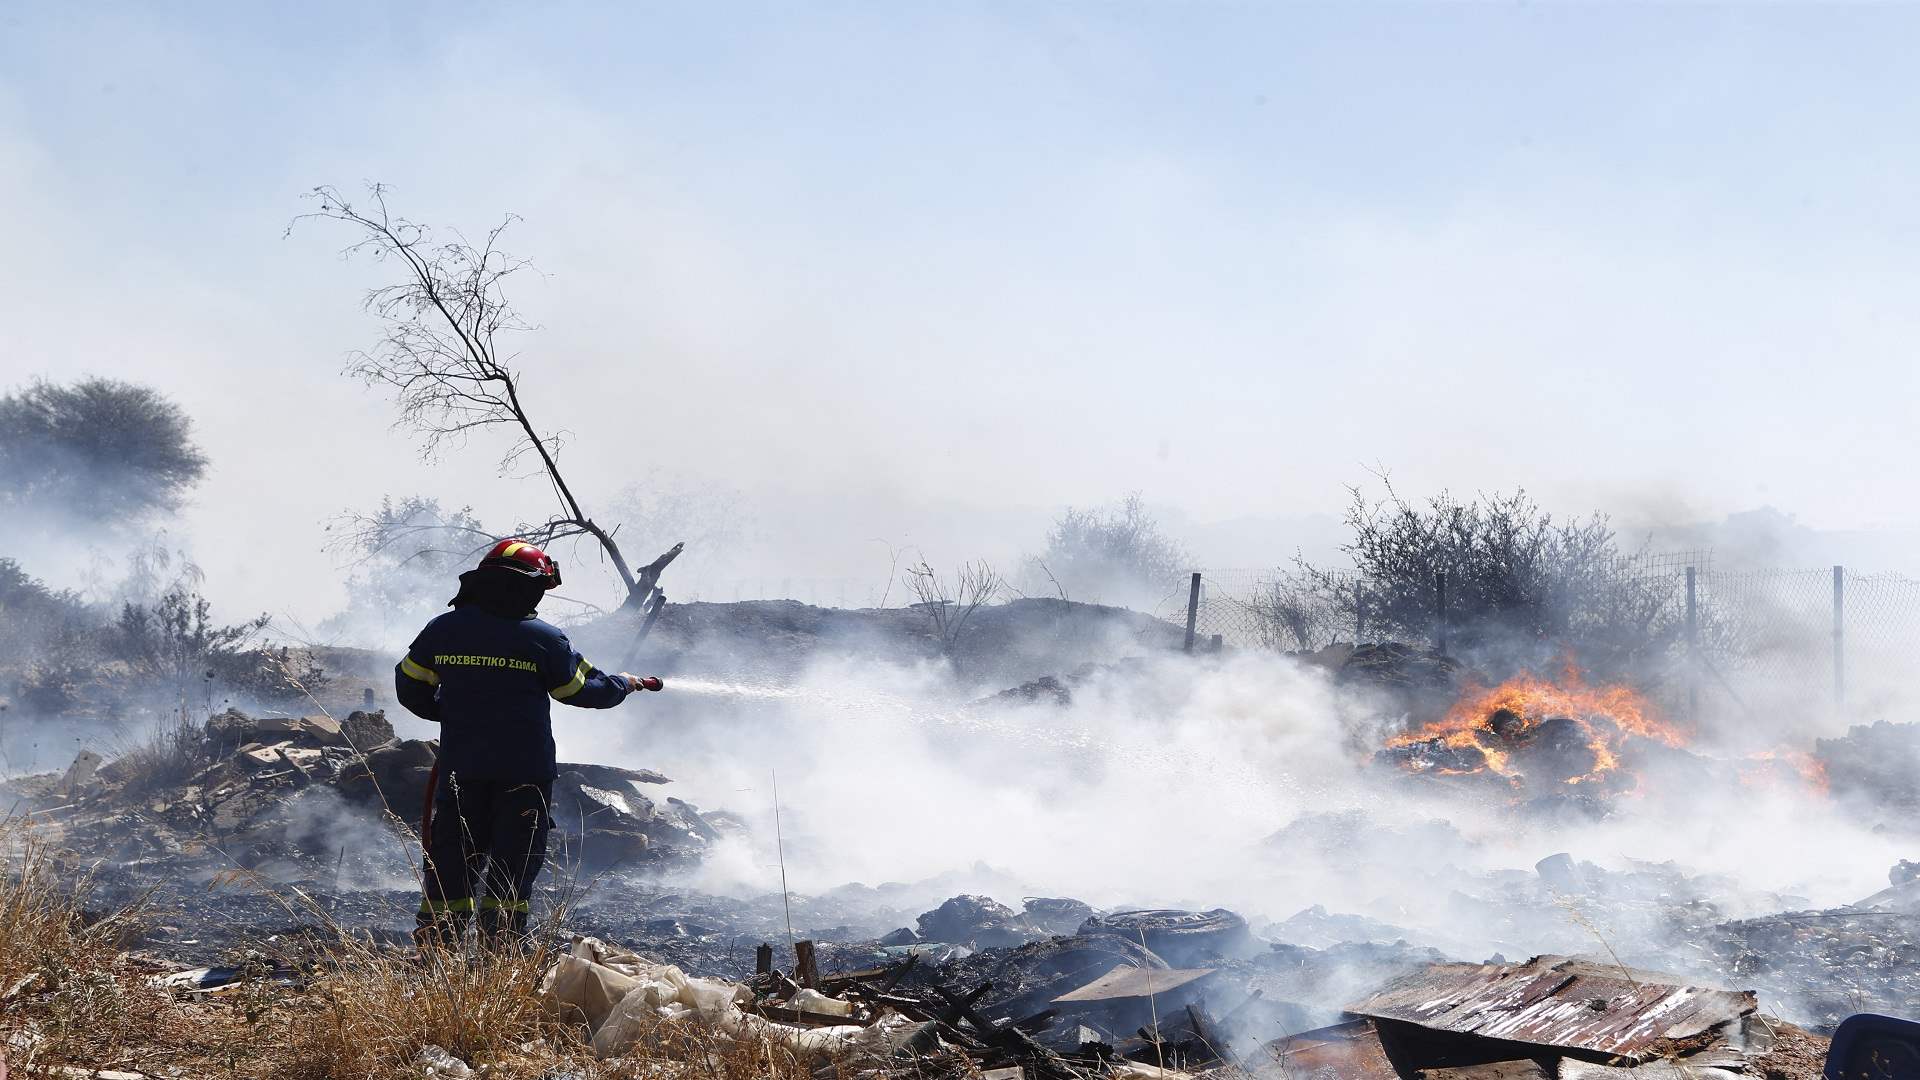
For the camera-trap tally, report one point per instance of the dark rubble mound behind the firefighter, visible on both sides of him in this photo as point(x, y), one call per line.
point(322, 800)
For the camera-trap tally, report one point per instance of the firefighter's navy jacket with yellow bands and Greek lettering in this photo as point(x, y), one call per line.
point(487, 681)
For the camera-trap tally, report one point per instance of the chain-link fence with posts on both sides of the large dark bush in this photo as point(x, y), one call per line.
point(1752, 643)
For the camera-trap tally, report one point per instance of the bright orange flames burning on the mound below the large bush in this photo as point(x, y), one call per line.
point(1606, 718)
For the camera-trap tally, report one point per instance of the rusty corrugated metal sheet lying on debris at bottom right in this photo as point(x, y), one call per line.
point(1558, 1002)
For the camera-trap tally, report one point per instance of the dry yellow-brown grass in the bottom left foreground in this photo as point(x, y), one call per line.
point(74, 996)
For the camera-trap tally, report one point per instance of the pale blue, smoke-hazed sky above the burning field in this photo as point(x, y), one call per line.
point(926, 272)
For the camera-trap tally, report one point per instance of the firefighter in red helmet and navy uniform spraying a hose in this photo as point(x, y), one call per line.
point(487, 674)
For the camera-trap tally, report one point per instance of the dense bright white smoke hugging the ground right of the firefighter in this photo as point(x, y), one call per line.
point(1237, 781)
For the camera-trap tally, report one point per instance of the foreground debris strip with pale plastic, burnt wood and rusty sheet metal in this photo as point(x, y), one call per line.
point(1097, 1006)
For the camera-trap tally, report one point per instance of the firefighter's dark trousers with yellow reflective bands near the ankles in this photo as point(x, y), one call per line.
point(485, 848)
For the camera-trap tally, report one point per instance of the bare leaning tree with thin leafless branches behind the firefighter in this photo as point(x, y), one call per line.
point(441, 356)
